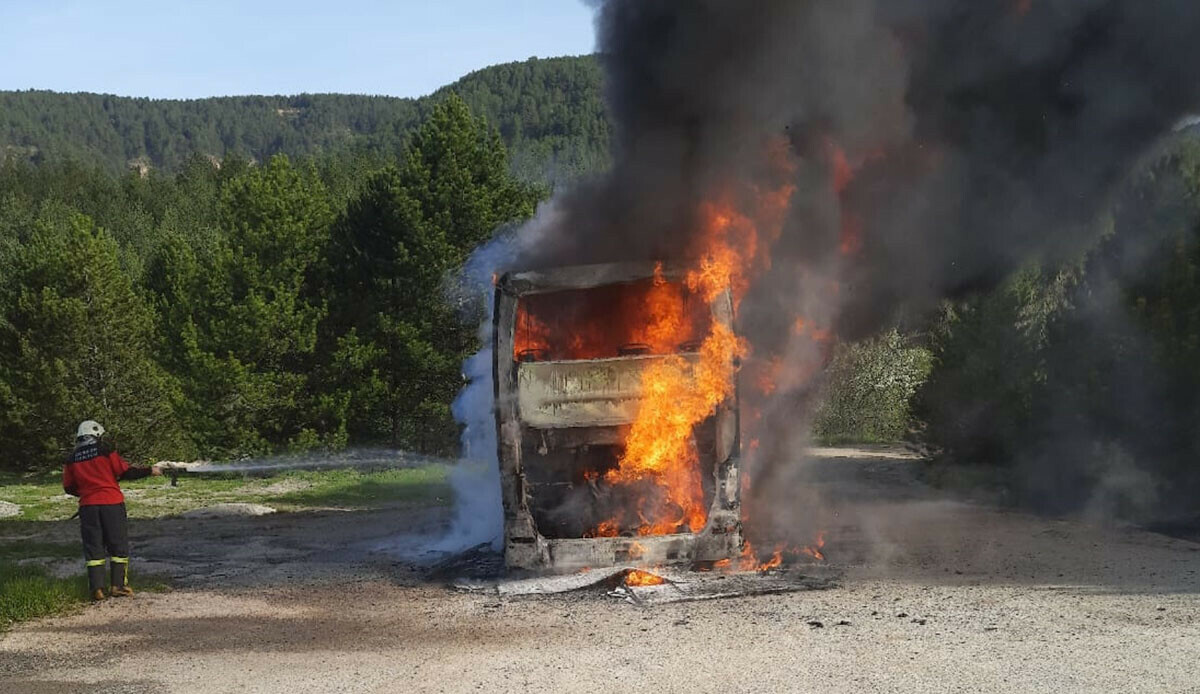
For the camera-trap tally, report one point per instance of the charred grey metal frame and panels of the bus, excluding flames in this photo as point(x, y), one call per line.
point(544, 406)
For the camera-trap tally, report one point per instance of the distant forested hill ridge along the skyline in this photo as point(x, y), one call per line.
point(549, 112)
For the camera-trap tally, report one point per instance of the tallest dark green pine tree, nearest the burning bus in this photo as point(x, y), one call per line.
point(397, 343)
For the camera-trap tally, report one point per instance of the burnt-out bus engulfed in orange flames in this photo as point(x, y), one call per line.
point(617, 417)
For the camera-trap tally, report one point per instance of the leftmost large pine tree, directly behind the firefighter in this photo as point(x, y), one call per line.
point(76, 344)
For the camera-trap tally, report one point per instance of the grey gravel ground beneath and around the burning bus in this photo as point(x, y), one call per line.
point(935, 596)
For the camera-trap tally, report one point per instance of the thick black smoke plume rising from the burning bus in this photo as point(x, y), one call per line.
point(934, 147)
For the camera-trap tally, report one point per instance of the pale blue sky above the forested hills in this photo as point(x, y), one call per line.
point(172, 49)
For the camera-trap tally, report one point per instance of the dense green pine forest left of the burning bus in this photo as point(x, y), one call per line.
point(239, 309)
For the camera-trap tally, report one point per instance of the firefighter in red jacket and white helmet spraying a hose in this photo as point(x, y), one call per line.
point(93, 474)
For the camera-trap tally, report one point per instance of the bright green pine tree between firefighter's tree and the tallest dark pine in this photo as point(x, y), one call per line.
point(241, 325)
